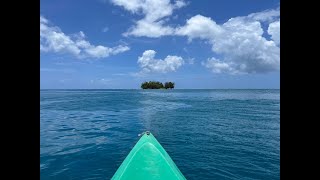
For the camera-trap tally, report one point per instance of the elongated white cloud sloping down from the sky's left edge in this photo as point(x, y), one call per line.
point(52, 39)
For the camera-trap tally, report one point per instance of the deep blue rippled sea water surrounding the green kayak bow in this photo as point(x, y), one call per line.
point(210, 134)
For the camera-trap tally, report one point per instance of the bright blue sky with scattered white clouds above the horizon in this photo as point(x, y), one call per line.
point(118, 44)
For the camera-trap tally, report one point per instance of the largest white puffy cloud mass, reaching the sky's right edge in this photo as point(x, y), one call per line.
point(239, 41)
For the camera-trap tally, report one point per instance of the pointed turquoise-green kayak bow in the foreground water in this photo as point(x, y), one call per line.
point(148, 160)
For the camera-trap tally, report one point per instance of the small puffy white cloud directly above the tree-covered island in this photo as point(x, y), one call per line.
point(149, 64)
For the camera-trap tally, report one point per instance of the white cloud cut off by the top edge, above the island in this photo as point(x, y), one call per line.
point(152, 24)
